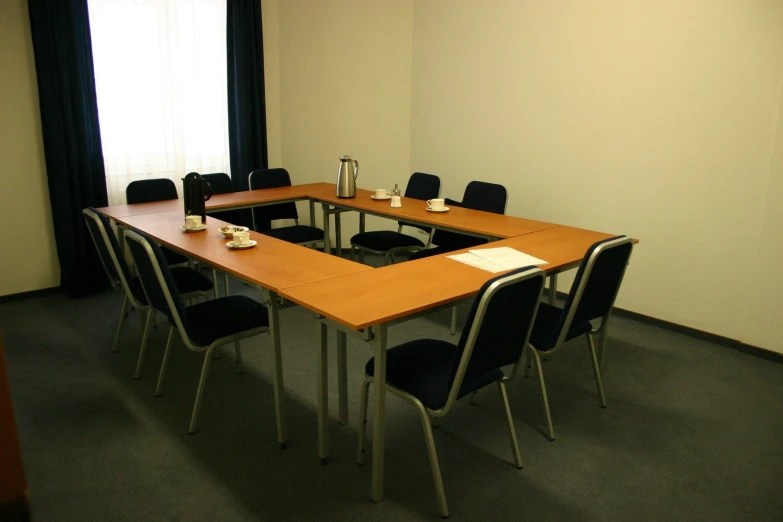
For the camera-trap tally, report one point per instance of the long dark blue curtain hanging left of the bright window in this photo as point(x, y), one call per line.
point(71, 135)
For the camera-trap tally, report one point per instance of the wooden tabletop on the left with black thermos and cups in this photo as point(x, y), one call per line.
point(272, 264)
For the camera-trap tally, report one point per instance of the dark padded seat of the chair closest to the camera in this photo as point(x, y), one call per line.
point(425, 367)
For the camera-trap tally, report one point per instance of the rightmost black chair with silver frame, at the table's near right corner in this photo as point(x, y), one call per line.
point(592, 296)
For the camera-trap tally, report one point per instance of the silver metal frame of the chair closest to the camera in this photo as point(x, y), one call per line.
point(425, 412)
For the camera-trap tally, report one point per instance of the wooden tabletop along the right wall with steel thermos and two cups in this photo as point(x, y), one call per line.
point(457, 218)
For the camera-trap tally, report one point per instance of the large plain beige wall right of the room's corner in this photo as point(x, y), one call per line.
point(653, 119)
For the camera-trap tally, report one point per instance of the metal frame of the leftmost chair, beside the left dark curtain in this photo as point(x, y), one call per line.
point(125, 286)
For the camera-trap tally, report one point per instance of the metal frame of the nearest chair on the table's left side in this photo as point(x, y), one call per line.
point(235, 338)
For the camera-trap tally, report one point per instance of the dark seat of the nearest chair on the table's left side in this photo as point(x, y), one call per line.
point(211, 320)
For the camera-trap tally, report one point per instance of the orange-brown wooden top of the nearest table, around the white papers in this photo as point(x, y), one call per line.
point(395, 291)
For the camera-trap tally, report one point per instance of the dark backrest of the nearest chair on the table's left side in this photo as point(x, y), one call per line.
point(156, 278)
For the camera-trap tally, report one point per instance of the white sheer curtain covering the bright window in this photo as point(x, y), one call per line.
point(160, 75)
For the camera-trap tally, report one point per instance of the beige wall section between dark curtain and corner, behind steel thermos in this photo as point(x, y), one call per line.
point(345, 78)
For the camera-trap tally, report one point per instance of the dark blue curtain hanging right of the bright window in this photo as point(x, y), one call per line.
point(246, 102)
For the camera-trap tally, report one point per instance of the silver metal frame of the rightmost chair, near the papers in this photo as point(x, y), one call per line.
point(596, 350)
